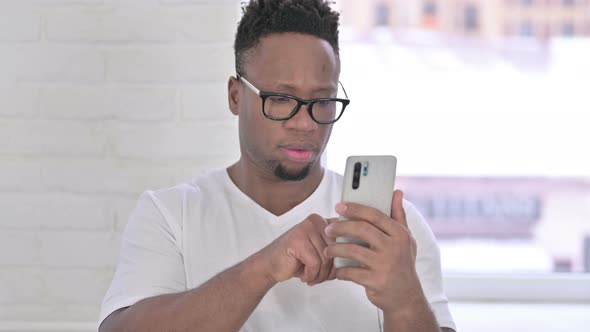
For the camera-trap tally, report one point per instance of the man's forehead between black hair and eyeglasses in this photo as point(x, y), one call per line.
point(293, 57)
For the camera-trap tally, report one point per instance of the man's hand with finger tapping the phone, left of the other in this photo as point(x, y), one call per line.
point(299, 252)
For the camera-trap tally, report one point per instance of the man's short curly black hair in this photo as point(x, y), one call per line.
point(263, 17)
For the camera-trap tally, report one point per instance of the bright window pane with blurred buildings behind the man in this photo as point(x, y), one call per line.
point(489, 128)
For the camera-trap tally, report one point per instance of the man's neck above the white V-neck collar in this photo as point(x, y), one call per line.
point(273, 194)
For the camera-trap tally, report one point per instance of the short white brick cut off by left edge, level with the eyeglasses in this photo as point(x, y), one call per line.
point(18, 101)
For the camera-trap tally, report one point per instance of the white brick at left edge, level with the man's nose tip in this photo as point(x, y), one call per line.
point(51, 138)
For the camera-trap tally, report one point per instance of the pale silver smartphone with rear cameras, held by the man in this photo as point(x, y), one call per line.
point(368, 180)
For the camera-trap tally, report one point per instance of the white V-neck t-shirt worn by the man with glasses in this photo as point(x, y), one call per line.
point(180, 237)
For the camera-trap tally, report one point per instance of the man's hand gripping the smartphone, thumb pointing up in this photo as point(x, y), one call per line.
point(387, 270)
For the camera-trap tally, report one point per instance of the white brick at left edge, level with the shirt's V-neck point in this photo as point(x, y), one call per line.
point(54, 211)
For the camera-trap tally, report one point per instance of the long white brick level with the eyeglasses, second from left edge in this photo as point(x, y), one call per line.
point(108, 103)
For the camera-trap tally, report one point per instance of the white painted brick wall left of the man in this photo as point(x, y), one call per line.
point(99, 101)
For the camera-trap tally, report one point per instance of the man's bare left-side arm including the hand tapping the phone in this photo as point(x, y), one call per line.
point(225, 302)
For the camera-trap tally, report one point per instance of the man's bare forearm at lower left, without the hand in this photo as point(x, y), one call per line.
point(221, 304)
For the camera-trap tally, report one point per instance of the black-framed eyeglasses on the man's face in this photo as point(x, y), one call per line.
point(281, 106)
